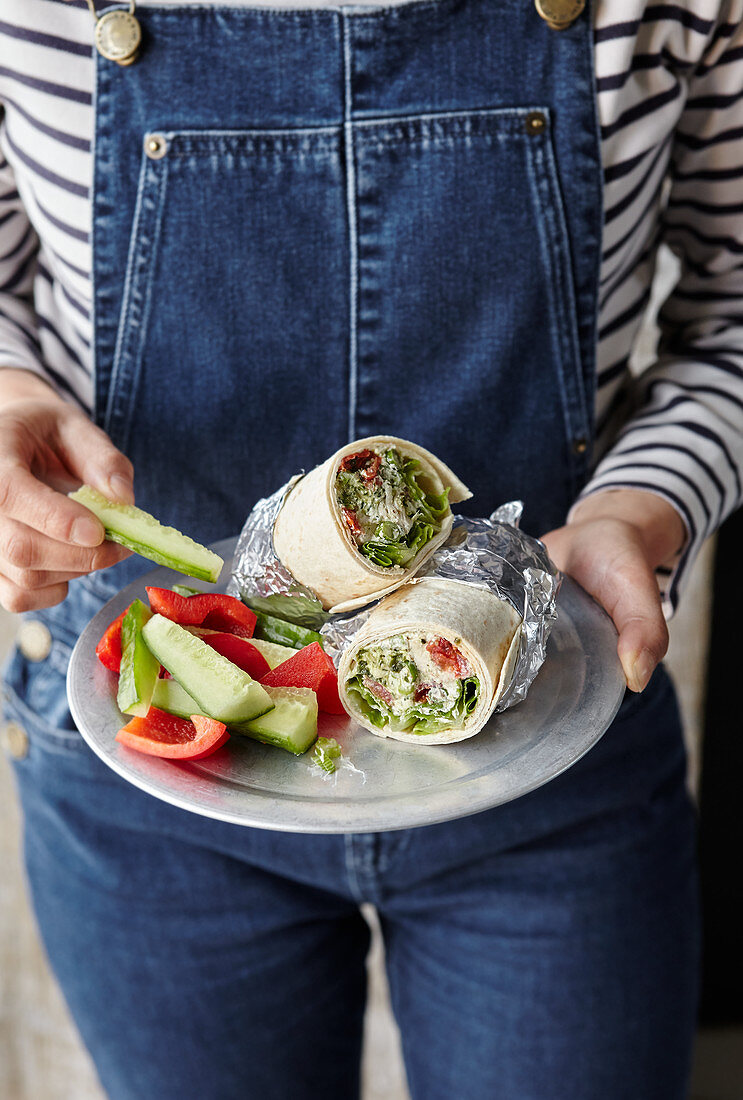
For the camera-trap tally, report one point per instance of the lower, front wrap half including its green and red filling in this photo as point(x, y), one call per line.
point(431, 663)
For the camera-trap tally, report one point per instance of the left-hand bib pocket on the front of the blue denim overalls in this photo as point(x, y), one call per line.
point(231, 367)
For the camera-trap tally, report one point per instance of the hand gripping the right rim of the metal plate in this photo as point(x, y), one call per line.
point(611, 546)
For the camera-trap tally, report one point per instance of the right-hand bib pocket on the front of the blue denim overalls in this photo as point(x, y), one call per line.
point(467, 323)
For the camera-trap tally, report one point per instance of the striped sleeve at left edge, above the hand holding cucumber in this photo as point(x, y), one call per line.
point(19, 248)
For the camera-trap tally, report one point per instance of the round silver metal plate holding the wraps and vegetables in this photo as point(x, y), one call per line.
point(385, 785)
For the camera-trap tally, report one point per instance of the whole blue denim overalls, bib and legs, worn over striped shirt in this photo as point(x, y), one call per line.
point(313, 226)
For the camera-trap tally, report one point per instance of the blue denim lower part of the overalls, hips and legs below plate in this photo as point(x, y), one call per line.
point(543, 951)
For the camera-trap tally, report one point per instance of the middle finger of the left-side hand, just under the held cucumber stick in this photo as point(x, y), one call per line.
point(24, 549)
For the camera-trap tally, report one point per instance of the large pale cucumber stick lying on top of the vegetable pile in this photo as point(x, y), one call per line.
point(222, 690)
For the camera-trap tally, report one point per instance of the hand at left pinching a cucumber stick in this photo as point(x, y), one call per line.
point(48, 448)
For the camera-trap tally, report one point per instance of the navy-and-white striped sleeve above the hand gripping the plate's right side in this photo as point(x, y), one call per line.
point(685, 441)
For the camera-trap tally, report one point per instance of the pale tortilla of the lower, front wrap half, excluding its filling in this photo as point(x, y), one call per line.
point(485, 629)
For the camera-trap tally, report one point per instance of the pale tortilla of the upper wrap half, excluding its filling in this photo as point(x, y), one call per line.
point(314, 543)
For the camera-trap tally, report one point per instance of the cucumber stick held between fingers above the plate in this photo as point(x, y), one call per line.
point(140, 532)
